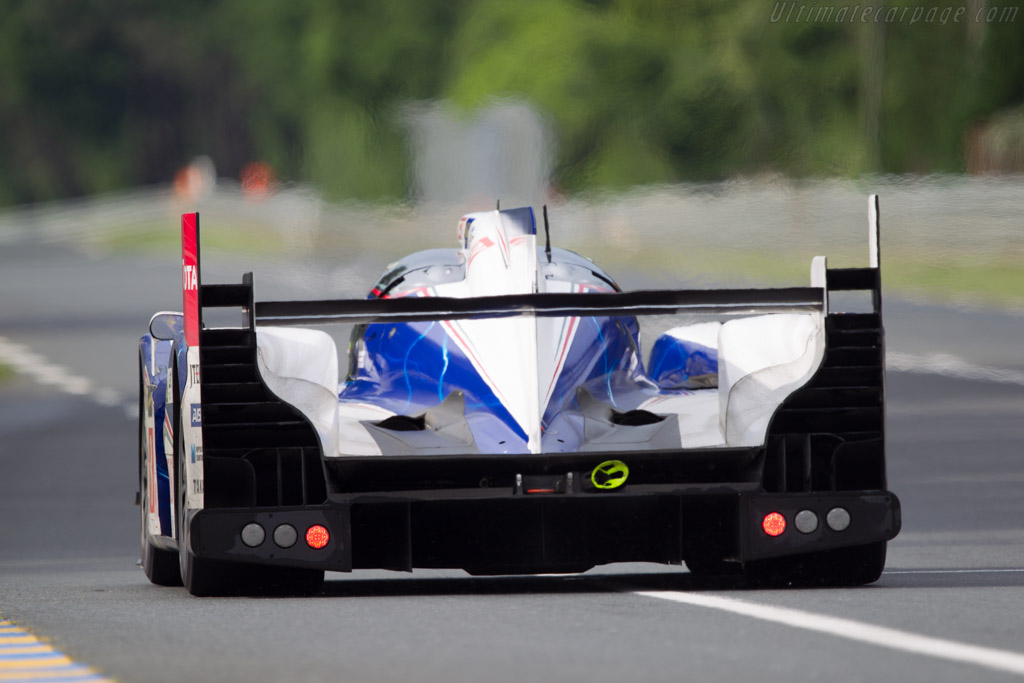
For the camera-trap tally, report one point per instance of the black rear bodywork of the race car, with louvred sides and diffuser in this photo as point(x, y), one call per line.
point(826, 449)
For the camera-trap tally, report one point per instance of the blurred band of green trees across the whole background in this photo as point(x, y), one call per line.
point(115, 94)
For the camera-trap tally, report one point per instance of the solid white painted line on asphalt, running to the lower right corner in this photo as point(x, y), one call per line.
point(990, 658)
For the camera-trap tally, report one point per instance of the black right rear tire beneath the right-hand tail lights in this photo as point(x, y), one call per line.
point(843, 567)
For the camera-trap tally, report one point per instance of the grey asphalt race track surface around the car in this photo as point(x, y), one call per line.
point(949, 608)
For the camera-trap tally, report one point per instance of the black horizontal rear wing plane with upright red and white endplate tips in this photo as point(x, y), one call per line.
point(198, 297)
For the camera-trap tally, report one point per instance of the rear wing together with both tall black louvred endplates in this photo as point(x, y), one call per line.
point(250, 435)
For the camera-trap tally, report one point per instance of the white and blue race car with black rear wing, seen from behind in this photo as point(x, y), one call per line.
point(497, 412)
